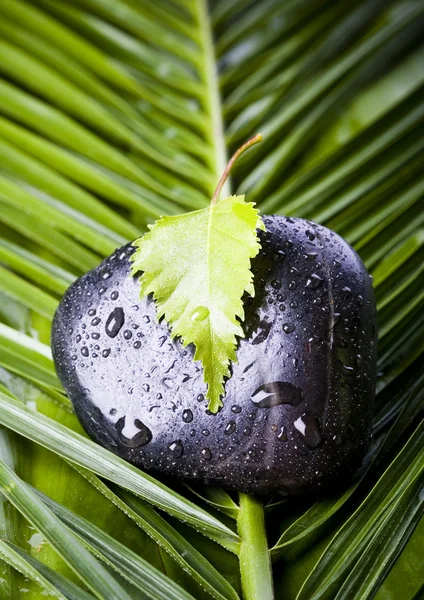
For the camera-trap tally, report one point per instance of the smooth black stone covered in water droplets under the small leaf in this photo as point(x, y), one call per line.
point(298, 407)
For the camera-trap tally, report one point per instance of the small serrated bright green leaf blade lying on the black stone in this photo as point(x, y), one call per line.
point(199, 292)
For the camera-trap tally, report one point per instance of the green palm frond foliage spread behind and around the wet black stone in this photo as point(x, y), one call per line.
point(113, 112)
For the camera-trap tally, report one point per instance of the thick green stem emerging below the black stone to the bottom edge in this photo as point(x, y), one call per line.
point(255, 563)
